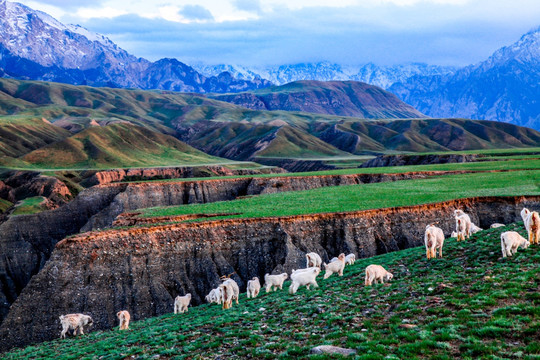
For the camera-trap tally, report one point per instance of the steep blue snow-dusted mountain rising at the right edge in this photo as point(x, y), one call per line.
point(505, 87)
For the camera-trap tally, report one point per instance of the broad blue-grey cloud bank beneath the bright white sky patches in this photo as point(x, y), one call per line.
point(428, 32)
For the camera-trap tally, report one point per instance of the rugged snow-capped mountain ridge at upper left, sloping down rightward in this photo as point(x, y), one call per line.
point(34, 45)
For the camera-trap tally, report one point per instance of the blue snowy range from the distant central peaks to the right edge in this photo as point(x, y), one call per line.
point(502, 88)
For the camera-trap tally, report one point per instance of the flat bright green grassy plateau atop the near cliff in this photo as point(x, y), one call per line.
point(368, 196)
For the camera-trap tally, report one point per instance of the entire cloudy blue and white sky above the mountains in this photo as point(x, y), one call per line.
point(276, 32)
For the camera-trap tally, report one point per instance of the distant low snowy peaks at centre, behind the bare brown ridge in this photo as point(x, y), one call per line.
point(382, 76)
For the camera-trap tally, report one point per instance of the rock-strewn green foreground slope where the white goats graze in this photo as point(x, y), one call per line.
point(469, 305)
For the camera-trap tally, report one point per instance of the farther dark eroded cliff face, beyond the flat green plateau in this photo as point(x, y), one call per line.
point(26, 241)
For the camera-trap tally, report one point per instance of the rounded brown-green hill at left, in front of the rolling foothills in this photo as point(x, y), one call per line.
point(118, 145)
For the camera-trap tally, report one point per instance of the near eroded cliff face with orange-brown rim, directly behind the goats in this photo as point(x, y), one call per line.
point(143, 269)
